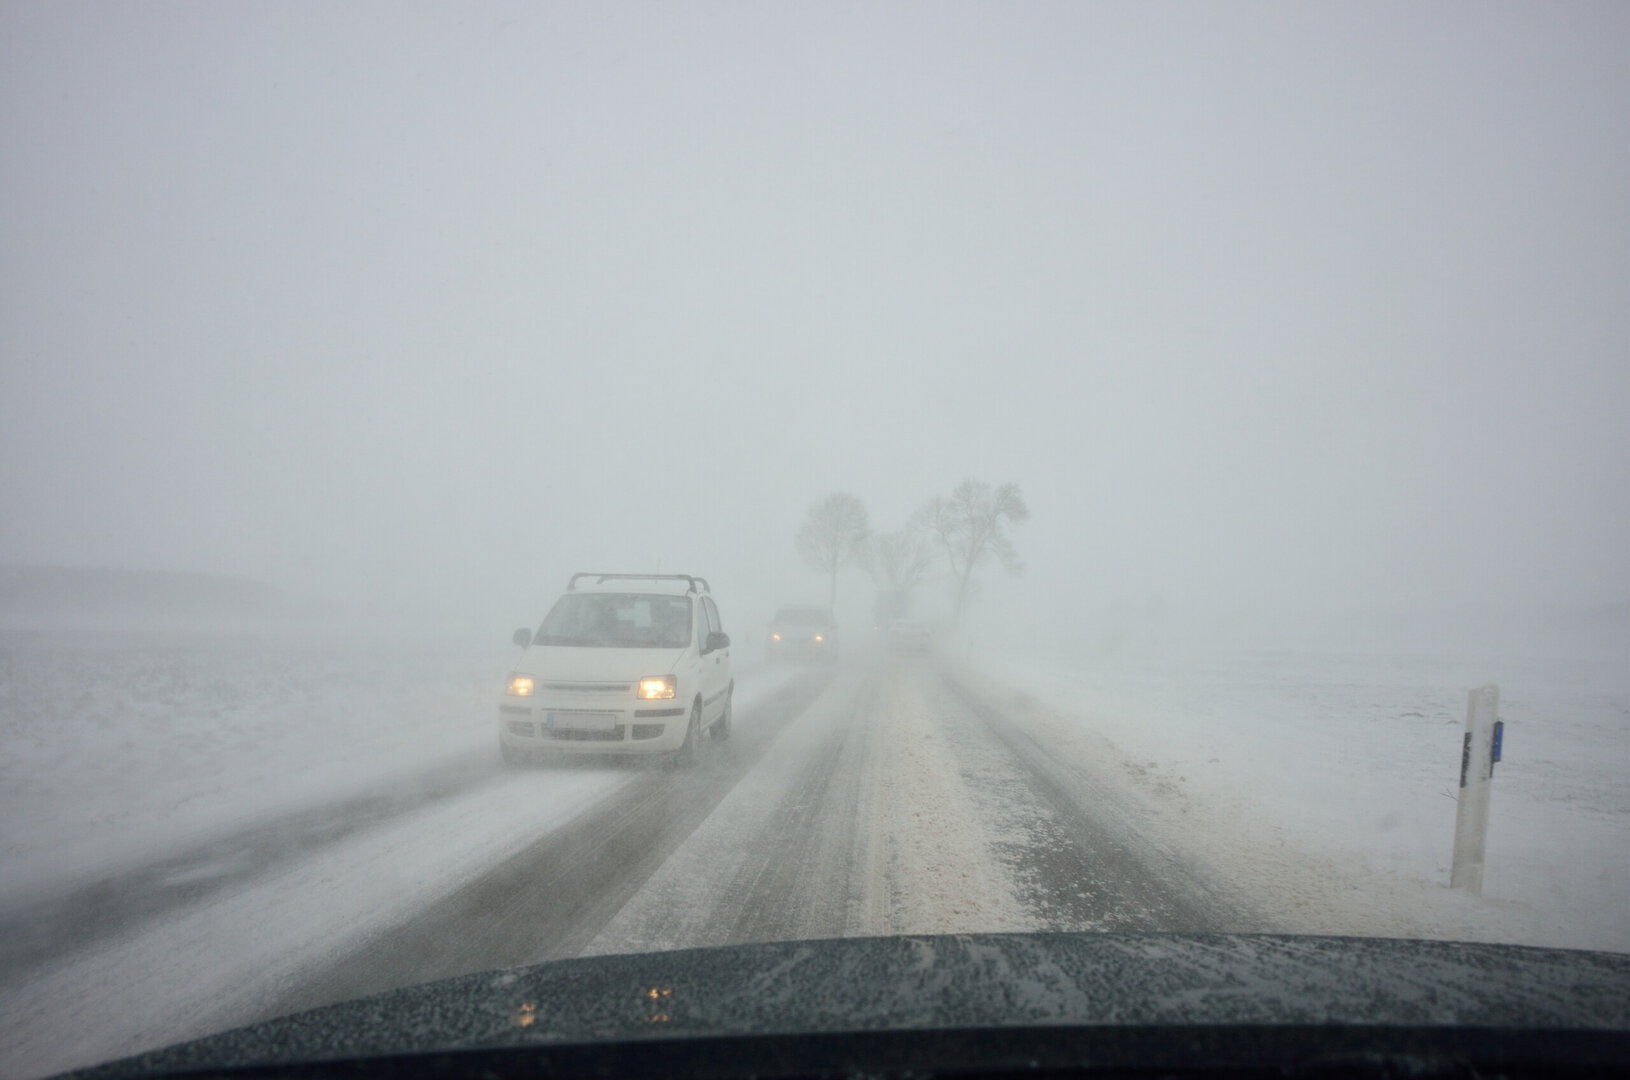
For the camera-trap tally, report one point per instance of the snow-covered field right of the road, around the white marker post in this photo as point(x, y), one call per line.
point(1326, 783)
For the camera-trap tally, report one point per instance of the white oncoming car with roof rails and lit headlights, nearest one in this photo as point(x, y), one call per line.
point(625, 664)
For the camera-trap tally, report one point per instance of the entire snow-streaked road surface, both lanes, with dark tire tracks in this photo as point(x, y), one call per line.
point(874, 799)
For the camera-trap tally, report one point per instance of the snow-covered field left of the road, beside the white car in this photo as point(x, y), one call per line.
point(121, 749)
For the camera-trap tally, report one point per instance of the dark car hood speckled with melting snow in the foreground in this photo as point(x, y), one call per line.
point(943, 983)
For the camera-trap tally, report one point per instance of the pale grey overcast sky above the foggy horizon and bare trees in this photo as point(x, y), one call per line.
point(1311, 304)
